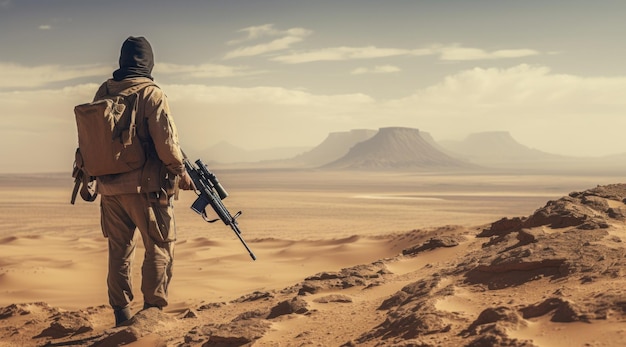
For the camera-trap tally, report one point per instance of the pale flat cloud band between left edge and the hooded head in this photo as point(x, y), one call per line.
point(21, 76)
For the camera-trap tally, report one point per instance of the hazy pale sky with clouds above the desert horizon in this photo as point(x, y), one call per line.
point(262, 74)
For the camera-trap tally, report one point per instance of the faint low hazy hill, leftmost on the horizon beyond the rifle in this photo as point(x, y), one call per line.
point(224, 152)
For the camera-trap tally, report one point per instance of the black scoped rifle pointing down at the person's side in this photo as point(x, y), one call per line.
point(211, 192)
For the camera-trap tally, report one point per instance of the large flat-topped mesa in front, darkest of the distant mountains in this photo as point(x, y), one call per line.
point(397, 148)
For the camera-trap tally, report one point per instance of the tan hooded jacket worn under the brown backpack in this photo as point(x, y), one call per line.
point(155, 128)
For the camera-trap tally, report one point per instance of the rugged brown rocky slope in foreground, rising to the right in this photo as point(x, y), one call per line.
point(554, 278)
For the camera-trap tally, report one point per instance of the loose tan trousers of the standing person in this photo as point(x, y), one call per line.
point(121, 216)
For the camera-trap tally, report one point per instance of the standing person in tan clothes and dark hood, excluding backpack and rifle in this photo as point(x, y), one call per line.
point(142, 198)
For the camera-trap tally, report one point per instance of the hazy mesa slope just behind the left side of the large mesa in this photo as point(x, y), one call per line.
point(335, 146)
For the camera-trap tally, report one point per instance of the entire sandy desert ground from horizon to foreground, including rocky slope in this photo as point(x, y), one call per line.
point(344, 259)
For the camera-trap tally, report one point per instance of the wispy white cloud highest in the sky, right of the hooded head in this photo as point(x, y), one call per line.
point(286, 38)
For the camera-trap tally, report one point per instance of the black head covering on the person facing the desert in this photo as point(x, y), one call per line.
point(136, 59)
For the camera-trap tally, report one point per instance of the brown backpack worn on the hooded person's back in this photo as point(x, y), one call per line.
point(107, 139)
